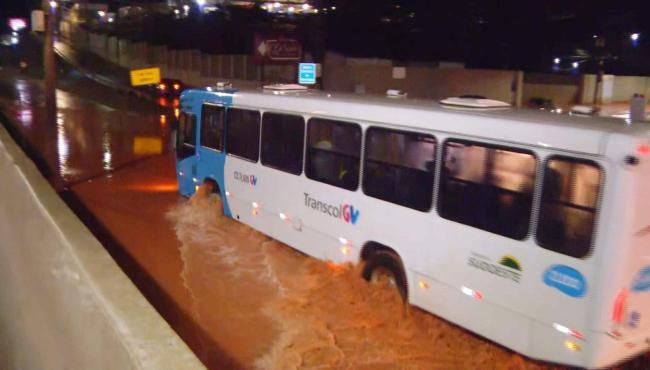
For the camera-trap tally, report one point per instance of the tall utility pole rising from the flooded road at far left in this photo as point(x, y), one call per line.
point(49, 12)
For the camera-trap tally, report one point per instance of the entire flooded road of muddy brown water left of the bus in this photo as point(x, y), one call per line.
point(238, 298)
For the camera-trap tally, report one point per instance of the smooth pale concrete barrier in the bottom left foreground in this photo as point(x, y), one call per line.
point(64, 303)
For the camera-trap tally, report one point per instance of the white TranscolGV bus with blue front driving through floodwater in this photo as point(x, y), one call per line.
point(529, 228)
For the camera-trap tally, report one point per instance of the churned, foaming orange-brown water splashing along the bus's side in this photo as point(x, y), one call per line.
point(321, 315)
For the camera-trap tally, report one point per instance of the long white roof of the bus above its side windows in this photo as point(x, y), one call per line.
point(585, 134)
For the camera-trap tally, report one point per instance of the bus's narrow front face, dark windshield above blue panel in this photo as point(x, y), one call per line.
point(186, 153)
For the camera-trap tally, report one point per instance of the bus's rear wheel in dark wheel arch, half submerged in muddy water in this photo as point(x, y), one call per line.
point(384, 263)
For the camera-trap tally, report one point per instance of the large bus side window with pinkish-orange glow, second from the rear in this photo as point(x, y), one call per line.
point(487, 187)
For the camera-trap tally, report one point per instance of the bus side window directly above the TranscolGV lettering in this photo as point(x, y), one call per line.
point(333, 152)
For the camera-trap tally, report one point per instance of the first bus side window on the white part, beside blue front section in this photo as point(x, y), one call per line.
point(243, 133)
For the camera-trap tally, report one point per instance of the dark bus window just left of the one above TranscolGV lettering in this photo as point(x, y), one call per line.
point(283, 142)
